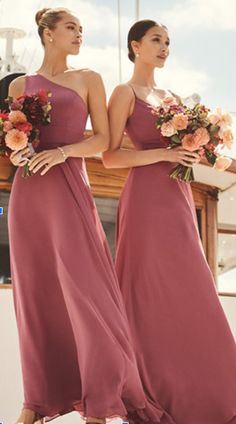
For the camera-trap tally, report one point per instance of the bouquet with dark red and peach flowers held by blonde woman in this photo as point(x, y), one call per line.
point(19, 127)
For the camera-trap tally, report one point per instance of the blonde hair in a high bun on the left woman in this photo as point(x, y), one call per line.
point(48, 18)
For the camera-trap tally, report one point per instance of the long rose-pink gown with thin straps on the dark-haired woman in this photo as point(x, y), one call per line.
point(185, 351)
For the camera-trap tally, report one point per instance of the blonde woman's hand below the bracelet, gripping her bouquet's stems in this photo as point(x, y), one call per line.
point(45, 159)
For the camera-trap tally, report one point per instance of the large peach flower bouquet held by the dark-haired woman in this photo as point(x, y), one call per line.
point(196, 130)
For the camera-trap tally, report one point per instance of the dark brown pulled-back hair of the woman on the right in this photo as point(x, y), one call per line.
point(137, 31)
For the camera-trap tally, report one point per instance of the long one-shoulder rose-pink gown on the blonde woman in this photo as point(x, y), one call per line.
point(74, 338)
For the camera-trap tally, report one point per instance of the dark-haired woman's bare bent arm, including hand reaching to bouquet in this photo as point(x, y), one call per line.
point(120, 108)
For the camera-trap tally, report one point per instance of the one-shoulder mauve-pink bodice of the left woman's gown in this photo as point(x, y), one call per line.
point(68, 114)
